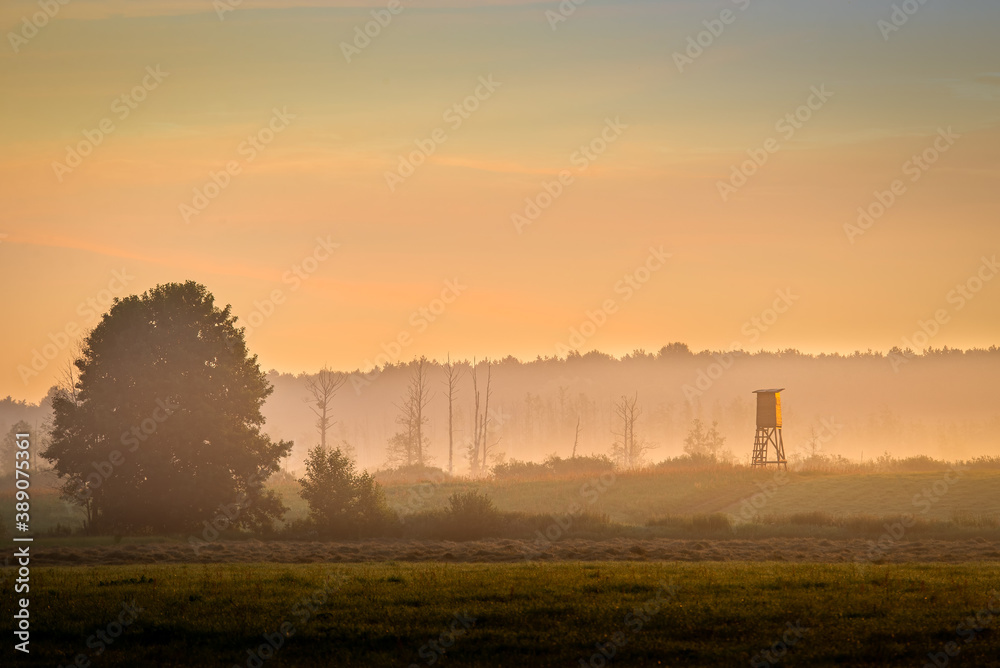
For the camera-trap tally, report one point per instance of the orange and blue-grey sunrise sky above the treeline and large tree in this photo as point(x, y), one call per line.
point(502, 178)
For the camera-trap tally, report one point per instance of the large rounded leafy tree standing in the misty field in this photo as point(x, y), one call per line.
point(164, 427)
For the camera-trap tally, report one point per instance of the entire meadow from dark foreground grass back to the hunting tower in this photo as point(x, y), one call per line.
point(716, 566)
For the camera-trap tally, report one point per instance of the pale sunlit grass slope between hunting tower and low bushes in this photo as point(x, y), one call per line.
point(638, 497)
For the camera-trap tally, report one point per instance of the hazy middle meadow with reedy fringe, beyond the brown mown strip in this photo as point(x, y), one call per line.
point(714, 501)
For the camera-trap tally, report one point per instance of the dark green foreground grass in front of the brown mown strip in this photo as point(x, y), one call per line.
point(525, 614)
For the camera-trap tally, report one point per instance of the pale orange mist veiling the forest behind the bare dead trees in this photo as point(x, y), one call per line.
point(941, 404)
